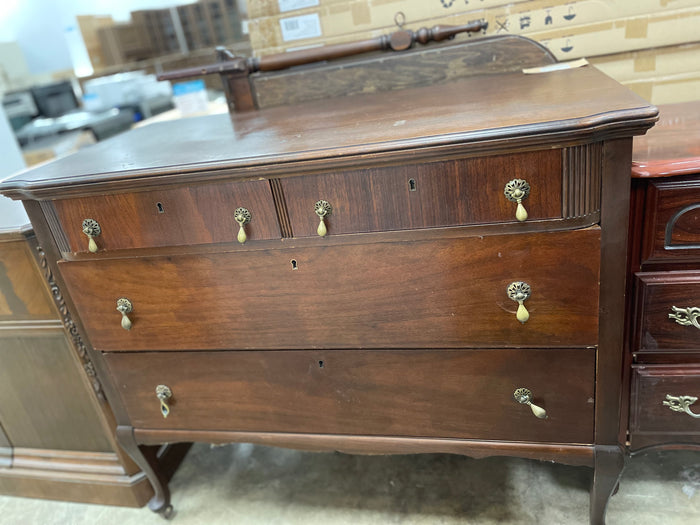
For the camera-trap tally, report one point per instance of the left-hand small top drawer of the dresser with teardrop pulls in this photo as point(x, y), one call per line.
point(198, 214)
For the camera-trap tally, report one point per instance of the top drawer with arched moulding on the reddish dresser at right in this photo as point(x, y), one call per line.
point(672, 221)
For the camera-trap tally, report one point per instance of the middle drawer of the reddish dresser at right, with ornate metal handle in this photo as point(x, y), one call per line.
point(667, 312)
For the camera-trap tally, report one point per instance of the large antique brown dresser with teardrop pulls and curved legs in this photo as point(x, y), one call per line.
point(436, 269)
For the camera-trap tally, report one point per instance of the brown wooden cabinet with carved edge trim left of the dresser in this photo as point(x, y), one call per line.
point(56, 431)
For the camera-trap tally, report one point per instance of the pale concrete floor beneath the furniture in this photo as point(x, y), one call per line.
point(254, 485)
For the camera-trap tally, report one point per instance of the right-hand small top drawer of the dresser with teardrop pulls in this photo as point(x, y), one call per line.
point(449, 193)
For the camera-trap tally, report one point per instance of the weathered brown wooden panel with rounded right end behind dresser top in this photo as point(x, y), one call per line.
point(393, 71)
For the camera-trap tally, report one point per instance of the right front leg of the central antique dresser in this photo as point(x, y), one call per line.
point(609, 463)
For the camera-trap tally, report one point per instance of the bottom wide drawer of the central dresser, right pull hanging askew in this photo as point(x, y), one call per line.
point(433, 393)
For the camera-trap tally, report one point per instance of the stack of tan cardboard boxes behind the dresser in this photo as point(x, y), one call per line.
point(653, 46)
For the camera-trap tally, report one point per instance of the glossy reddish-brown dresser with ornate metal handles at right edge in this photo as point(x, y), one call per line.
point(664, 331)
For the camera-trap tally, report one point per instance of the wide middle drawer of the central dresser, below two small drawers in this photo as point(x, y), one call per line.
point(443, 293)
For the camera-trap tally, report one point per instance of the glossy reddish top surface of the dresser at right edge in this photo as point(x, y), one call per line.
point(672, 147)
